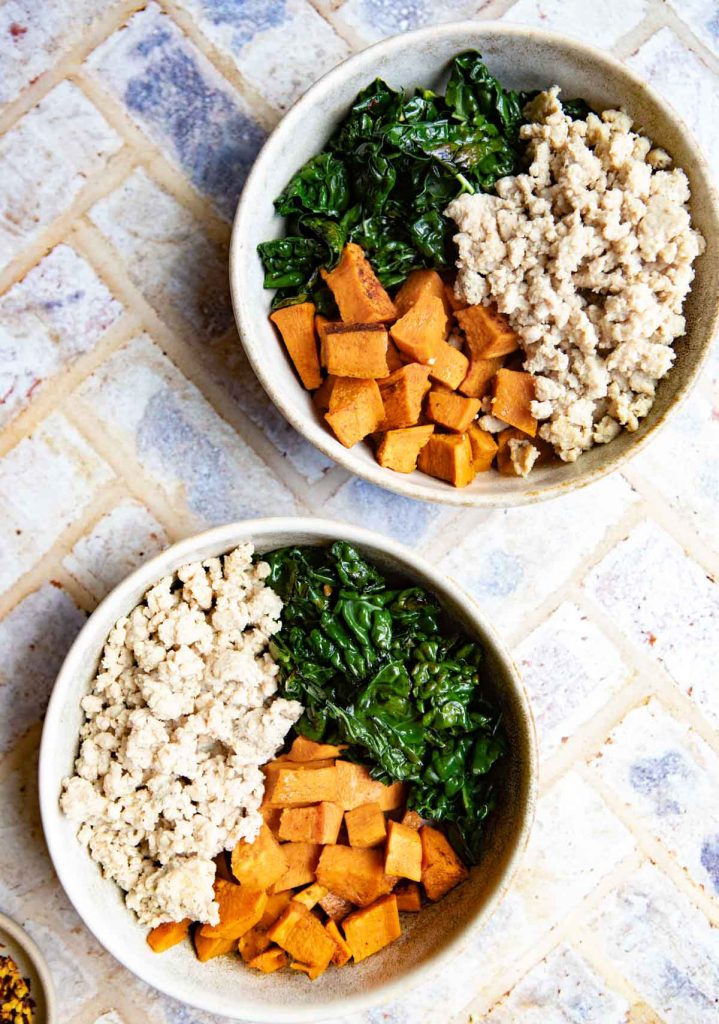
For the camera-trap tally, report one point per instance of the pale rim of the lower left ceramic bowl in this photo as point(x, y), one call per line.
point(225, 538)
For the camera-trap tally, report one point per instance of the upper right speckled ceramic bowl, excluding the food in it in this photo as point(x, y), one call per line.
point(522, 59)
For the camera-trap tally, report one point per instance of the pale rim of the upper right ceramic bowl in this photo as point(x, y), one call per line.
point(313, 431)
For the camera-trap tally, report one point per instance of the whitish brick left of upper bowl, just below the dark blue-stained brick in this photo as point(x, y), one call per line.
point(167, 253)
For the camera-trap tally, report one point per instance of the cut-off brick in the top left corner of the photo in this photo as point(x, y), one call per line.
point(29, 46)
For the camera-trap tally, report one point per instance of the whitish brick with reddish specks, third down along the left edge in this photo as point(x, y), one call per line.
point(59, 312)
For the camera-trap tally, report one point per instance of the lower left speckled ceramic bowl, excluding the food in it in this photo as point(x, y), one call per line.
point(225, 987)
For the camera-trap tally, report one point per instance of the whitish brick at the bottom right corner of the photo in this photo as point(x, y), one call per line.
point(664, 947)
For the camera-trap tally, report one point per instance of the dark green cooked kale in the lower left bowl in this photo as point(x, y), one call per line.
point(384, 669)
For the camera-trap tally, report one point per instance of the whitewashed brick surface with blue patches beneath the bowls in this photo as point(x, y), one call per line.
point(130, 419)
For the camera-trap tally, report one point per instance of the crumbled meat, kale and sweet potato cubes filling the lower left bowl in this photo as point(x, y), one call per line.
point(283, 755)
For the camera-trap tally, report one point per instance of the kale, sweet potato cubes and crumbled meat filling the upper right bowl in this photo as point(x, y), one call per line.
point(482, 279)
